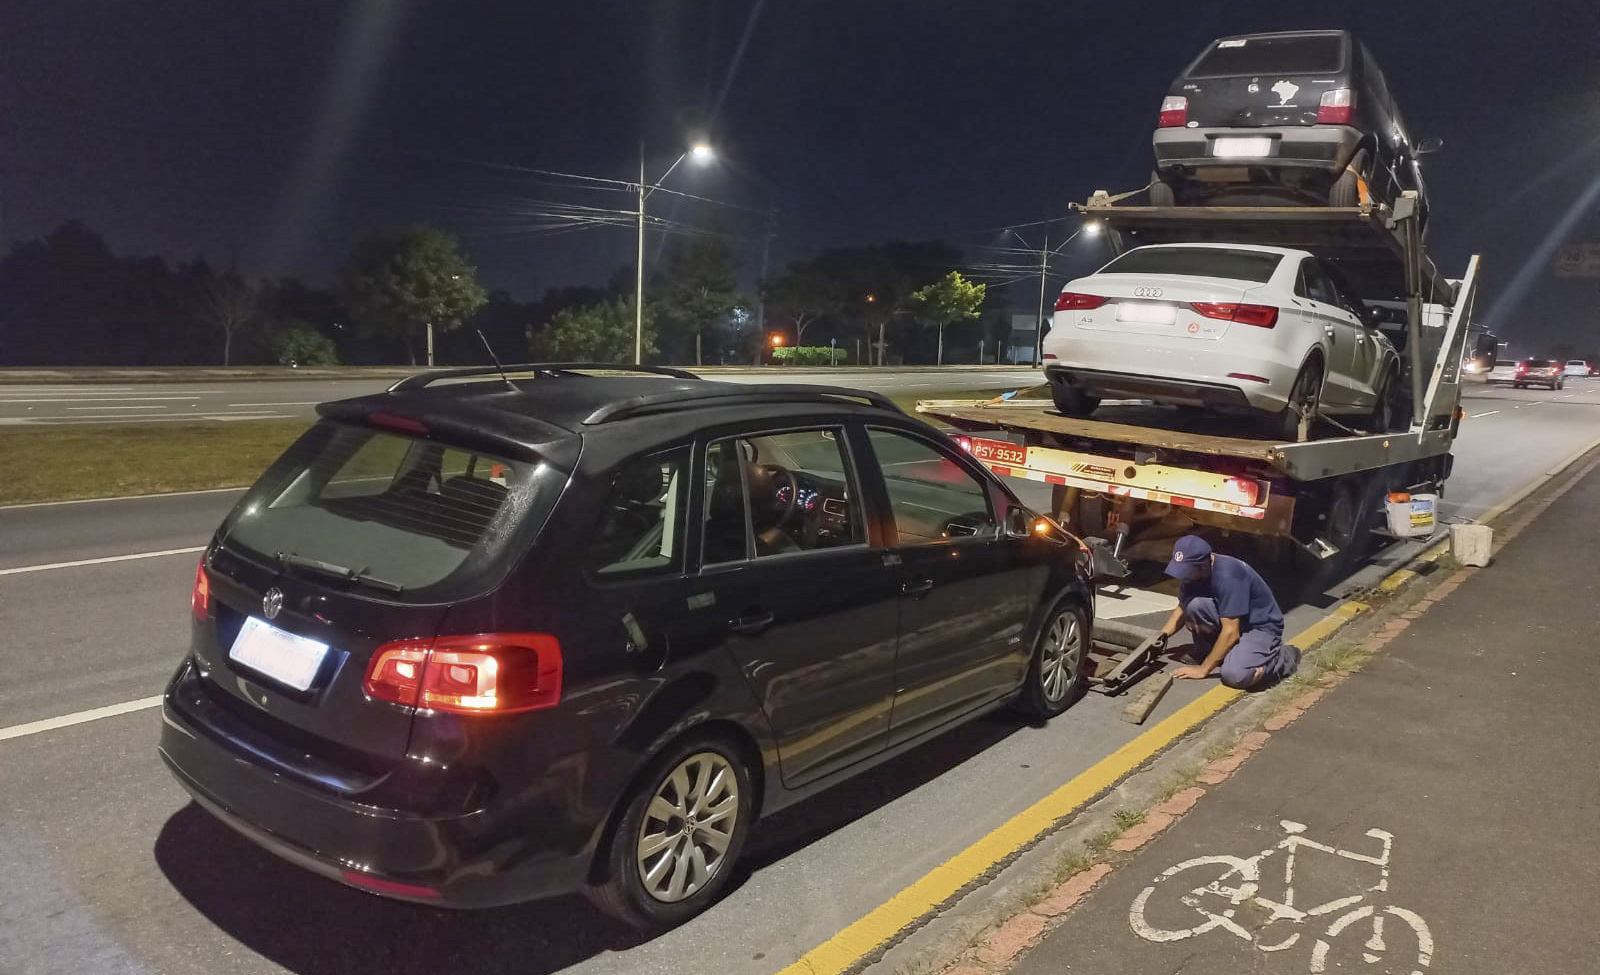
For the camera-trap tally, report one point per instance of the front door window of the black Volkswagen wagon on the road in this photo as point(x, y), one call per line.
point(932, 496)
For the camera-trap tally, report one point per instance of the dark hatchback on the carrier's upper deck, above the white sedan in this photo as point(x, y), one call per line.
point(1302, 118)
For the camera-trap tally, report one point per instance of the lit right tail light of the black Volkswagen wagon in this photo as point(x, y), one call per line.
point(492, 673)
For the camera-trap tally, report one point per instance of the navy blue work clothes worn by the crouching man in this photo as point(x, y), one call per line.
point(1236, 592)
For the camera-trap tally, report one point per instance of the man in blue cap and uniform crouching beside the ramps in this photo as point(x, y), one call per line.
point(1233, 617)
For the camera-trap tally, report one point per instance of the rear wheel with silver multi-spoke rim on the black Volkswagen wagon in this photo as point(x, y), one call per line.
point(710, 768)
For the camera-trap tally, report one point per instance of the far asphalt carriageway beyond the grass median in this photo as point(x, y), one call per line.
point(174, 403)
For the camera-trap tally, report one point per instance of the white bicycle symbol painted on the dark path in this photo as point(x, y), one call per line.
point(1230, 894)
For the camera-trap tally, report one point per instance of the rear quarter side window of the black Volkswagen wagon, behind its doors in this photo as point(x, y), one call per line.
point(642, 520)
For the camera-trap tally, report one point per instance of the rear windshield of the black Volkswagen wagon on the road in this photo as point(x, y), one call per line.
point(404, 513)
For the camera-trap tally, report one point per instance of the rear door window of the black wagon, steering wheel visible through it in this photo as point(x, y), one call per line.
point(780, 494)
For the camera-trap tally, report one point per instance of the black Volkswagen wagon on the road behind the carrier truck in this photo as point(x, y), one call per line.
point(482, 641)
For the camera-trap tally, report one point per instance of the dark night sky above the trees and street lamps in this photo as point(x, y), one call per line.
point(271, 134)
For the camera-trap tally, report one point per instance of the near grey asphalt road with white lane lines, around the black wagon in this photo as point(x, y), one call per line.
point(111, 870)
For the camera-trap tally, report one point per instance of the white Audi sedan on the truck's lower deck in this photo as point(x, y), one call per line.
point(1225, 327)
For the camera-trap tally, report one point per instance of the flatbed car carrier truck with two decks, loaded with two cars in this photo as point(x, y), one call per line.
point(1134, 478)
